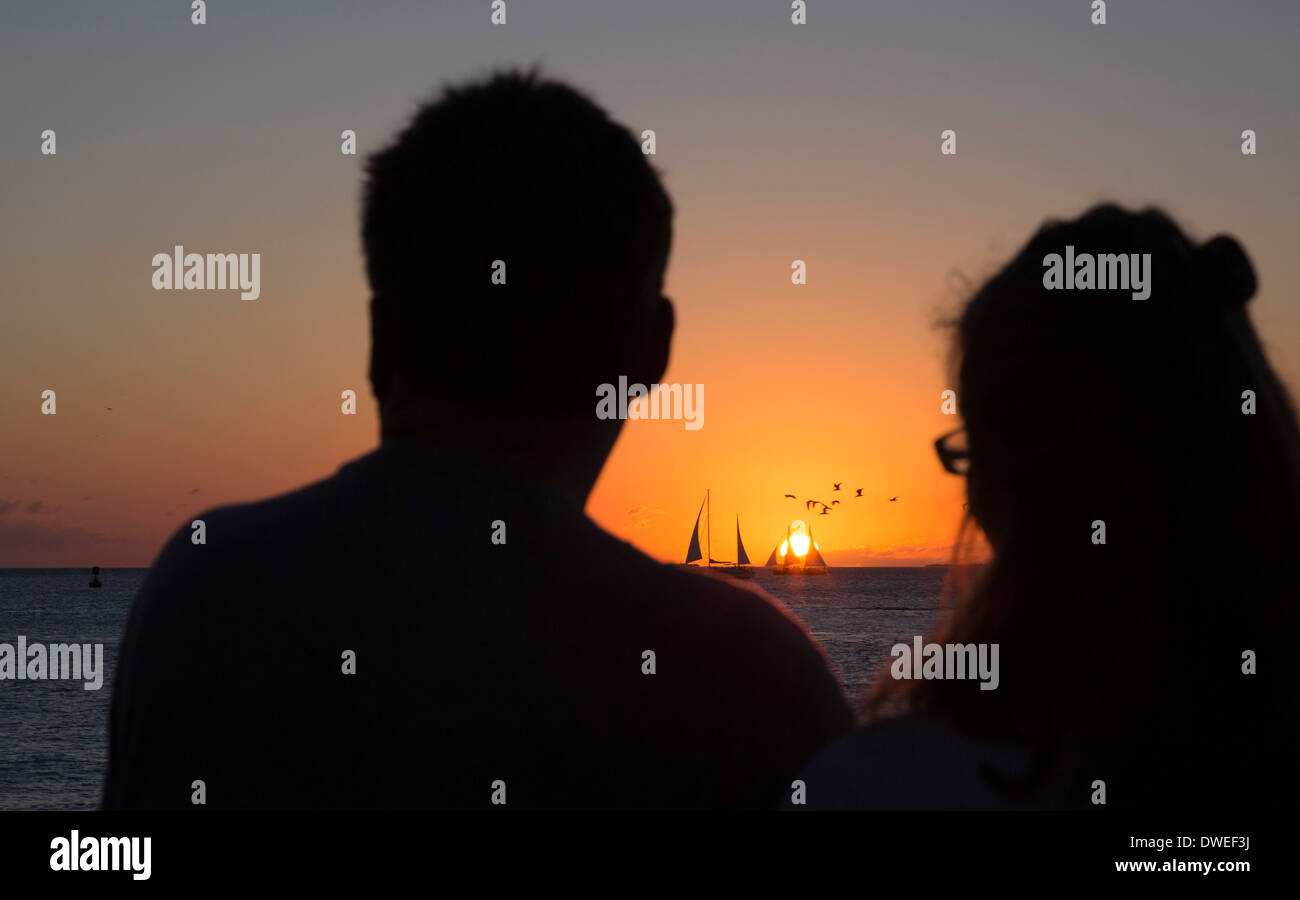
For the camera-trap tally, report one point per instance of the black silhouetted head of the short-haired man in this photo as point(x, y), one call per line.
point(515, 241)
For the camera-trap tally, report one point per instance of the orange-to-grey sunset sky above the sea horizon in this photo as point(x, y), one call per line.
point(777, 142)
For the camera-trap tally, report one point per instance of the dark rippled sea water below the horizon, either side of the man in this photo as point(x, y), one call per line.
point(54, 734)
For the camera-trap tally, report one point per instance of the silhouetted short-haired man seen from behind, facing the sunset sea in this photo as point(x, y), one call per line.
point(439, 625)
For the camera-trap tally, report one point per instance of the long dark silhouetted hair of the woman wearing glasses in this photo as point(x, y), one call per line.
point(1162, 422)
